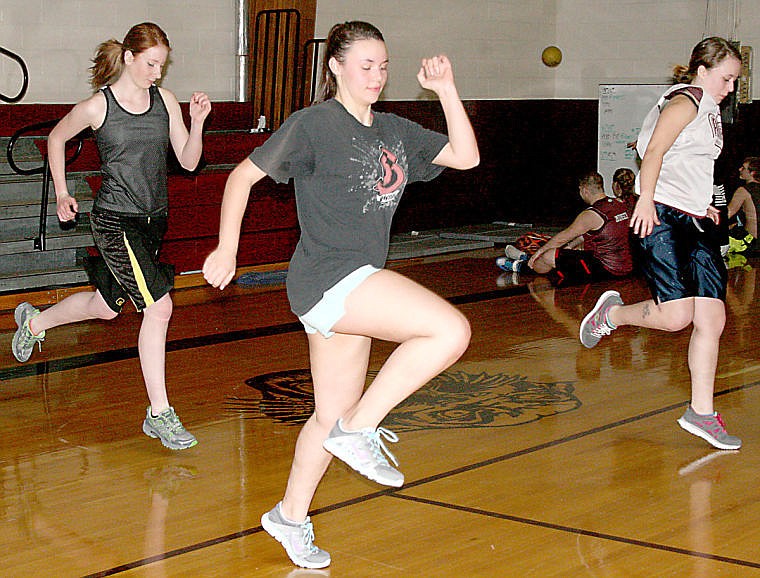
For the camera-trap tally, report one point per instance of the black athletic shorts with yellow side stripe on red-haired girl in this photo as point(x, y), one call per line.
point(128, 265)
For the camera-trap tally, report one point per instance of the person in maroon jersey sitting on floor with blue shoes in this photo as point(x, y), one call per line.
point(595, 246)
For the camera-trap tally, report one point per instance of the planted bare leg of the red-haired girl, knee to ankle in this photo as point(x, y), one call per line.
point(151, 345)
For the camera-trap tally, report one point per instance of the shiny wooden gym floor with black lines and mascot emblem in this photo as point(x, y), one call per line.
point(531, 456)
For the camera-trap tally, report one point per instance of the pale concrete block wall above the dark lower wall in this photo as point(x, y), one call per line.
point(495, 44)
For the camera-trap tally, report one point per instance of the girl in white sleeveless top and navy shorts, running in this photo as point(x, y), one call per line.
point(680, 139)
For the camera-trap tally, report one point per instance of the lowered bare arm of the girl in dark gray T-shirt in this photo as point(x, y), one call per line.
point(219, 267)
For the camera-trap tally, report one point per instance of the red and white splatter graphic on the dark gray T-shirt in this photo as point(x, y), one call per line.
point(383, 174)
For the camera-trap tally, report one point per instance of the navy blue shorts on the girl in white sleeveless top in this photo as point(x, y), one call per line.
point(681, 257)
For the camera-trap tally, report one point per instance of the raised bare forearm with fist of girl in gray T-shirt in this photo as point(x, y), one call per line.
point(461, 152)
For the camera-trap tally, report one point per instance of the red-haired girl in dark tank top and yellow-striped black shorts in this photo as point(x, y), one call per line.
point(135, 121)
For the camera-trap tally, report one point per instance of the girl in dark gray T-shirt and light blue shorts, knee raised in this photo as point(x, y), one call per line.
point(350, 166)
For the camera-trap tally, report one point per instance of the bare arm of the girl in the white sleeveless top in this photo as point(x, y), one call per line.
point(673, 119)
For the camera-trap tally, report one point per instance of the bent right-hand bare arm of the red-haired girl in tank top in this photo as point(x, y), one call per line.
point(188, 146)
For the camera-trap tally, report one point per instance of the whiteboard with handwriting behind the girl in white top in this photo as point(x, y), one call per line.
point(622, 108)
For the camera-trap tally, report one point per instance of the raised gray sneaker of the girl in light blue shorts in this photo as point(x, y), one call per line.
point(363, 451)
